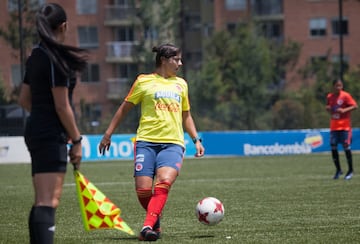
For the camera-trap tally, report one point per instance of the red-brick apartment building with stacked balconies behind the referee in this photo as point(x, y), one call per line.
point(107, 29)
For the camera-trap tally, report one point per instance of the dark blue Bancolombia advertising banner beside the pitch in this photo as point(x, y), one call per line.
point(282, 142)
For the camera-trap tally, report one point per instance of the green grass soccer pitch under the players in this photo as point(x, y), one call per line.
point(285, 199)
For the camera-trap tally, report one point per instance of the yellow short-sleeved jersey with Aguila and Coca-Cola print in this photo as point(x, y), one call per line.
point(162, 103)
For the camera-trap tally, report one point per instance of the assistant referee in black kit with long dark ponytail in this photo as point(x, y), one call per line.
point(46, 94)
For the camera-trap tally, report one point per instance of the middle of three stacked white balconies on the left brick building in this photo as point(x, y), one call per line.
point(121, 52)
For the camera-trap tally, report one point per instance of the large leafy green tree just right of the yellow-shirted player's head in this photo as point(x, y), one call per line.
point(234, 88)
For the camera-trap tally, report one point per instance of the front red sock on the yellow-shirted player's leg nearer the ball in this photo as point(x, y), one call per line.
point(157, 203)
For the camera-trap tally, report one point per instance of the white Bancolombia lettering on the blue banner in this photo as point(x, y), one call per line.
point(277, 149)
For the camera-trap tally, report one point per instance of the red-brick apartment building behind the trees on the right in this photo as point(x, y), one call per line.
point(313, 23)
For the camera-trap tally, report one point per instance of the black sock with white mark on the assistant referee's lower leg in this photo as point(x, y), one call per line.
point(42, 225)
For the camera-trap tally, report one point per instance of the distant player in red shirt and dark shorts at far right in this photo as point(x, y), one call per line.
point(339, 105)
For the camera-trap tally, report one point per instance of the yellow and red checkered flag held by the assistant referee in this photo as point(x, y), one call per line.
point(97, 211)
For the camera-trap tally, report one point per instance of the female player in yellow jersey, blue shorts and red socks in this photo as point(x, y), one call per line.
point(159, 146)
